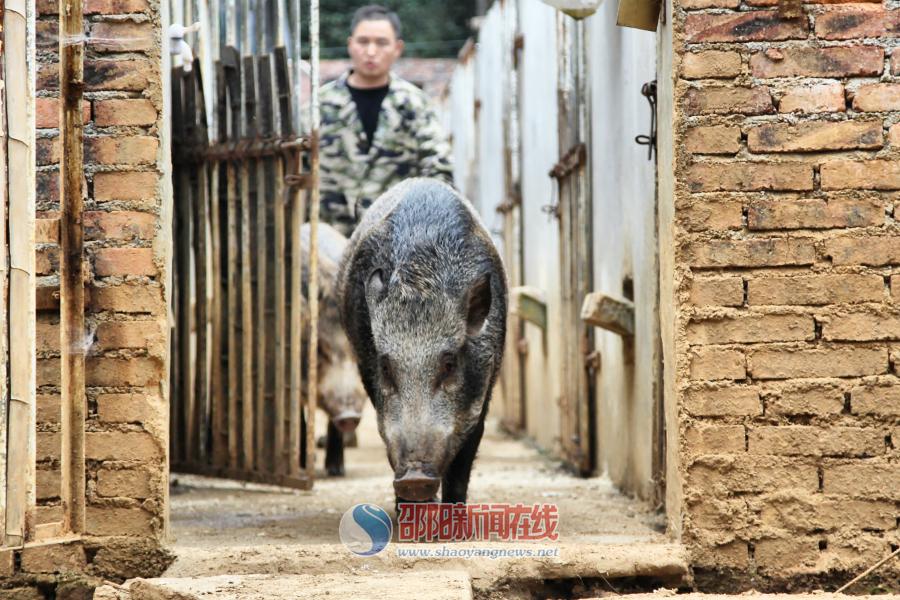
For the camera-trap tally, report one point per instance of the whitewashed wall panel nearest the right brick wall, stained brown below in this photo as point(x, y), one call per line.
point(620, 61)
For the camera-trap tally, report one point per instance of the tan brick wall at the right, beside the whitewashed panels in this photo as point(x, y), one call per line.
point(787, 262)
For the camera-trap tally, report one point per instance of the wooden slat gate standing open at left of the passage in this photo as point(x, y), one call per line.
point(237, 407)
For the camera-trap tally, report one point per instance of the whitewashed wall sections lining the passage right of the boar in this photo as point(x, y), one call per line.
point(619, 62)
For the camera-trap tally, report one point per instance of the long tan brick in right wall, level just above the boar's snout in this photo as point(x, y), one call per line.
point(802, 440)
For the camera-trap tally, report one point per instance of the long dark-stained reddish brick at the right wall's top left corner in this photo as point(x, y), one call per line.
point(753, 26)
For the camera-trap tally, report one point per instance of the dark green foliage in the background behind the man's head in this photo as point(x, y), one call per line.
point(431, 28)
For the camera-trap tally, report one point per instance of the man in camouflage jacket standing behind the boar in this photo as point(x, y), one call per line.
point(376, 128)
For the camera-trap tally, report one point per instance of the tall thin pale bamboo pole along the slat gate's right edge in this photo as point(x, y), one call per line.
point(312, 390)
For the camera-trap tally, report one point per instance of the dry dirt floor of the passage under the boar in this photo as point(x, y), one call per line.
point(227, 530)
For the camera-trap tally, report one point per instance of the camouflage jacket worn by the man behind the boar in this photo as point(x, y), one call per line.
point(408, 142)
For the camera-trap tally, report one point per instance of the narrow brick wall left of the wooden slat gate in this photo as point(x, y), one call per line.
point(125, 306)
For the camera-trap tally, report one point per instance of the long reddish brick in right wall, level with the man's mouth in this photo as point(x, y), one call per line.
point(851, 61)
